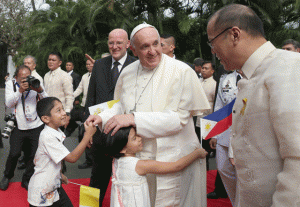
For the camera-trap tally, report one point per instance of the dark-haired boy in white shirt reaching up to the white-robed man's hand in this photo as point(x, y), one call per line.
point(44, 187)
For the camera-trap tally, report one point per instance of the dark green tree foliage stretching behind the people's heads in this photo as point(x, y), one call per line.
point(82, 26)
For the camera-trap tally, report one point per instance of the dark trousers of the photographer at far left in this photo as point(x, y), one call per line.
point(29, 138)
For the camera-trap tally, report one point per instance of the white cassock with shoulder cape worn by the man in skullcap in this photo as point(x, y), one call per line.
point(164, 100)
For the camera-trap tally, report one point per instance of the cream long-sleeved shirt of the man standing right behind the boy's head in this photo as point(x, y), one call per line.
point(59, 84)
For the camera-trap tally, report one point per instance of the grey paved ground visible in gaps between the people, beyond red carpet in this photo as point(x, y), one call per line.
point(70, 143)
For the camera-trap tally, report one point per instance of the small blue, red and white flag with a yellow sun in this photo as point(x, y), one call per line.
point(217, 122)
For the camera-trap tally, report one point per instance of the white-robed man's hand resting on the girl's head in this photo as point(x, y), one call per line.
point(119, 121)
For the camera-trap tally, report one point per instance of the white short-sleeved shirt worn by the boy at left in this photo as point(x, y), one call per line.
point(46, 178)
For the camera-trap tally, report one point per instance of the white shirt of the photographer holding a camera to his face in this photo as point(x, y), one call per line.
point(27, 119)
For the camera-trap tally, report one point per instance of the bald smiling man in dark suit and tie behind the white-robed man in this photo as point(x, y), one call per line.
point(101, 89)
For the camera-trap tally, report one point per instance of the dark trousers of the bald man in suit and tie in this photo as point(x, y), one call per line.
point(102, 167)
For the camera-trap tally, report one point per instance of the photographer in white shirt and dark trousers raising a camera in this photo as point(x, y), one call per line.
point(22, 97)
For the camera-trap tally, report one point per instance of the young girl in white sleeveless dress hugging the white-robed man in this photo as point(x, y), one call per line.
point(129, 183)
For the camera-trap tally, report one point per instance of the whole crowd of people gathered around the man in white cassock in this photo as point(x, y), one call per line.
point(149, 141)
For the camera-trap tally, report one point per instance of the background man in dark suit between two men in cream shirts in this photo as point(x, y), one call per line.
point(76, 80)
